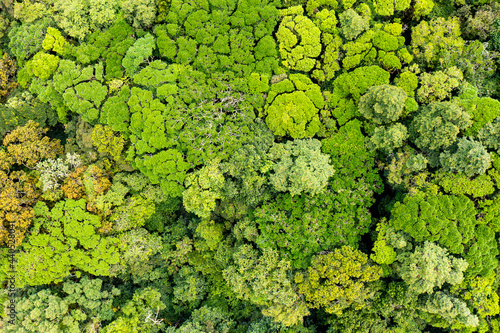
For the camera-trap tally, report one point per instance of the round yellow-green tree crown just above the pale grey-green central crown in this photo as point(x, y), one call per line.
point(292, 107)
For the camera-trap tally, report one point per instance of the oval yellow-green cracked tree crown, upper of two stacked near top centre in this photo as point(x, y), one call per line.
point(299, 43)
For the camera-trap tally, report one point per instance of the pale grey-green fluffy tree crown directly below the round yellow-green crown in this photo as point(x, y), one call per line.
point(300, 167)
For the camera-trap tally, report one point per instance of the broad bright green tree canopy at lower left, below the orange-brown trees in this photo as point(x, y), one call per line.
point(69, 242)
